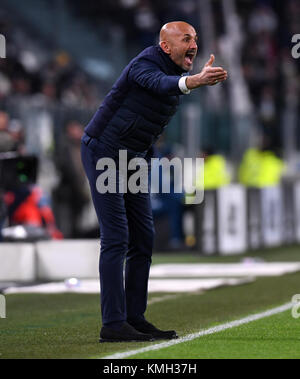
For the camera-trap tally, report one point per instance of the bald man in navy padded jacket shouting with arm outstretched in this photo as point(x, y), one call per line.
point(132, 117)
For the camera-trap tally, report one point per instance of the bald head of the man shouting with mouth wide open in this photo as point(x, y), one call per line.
point(178, 40)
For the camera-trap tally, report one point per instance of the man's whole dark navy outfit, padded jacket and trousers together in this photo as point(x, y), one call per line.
point(131, 117)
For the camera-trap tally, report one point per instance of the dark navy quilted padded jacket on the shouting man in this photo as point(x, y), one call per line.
point(140, 104)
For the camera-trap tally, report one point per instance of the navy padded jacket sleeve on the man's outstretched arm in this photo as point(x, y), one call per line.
point(148, 74)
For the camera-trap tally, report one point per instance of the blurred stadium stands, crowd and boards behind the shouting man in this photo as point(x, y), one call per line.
point(61, 59)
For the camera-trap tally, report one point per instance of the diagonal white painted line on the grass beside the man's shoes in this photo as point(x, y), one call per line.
point(204, 332)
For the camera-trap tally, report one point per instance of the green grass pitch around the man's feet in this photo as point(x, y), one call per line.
point(68, 325)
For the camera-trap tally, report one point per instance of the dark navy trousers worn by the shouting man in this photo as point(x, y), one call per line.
point(127, 234)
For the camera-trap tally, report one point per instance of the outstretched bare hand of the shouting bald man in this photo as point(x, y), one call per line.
point(209, 76)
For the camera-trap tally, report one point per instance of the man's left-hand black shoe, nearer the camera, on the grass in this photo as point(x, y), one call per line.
point(125, 334)
